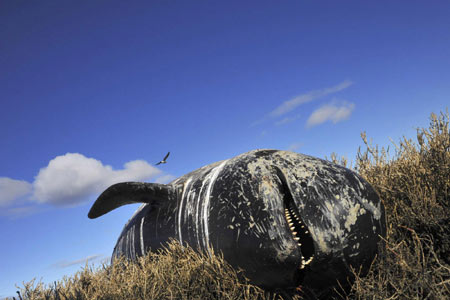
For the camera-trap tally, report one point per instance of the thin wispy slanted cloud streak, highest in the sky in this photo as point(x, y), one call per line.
point(290, 105)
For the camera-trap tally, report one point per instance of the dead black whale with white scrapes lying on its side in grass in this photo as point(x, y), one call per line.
point(286, 219)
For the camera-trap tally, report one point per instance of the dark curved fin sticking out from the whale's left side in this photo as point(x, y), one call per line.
point(128, 193)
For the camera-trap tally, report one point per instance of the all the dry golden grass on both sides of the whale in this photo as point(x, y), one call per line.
point(414, 260)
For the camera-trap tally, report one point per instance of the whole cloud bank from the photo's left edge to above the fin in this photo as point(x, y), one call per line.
point(69, 180)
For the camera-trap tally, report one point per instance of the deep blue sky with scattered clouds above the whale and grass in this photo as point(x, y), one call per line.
point(96, 92)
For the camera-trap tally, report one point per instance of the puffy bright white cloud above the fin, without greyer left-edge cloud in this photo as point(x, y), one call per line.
point(69, 179)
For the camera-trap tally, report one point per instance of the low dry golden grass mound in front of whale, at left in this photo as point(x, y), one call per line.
point(174, 272)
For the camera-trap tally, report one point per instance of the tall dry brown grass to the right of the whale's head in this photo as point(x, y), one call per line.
point(414, 262)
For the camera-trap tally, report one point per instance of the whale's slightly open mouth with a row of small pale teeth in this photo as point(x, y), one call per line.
point(297, 227)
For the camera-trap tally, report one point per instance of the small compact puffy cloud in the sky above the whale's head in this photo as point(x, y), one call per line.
point(330, 112)
